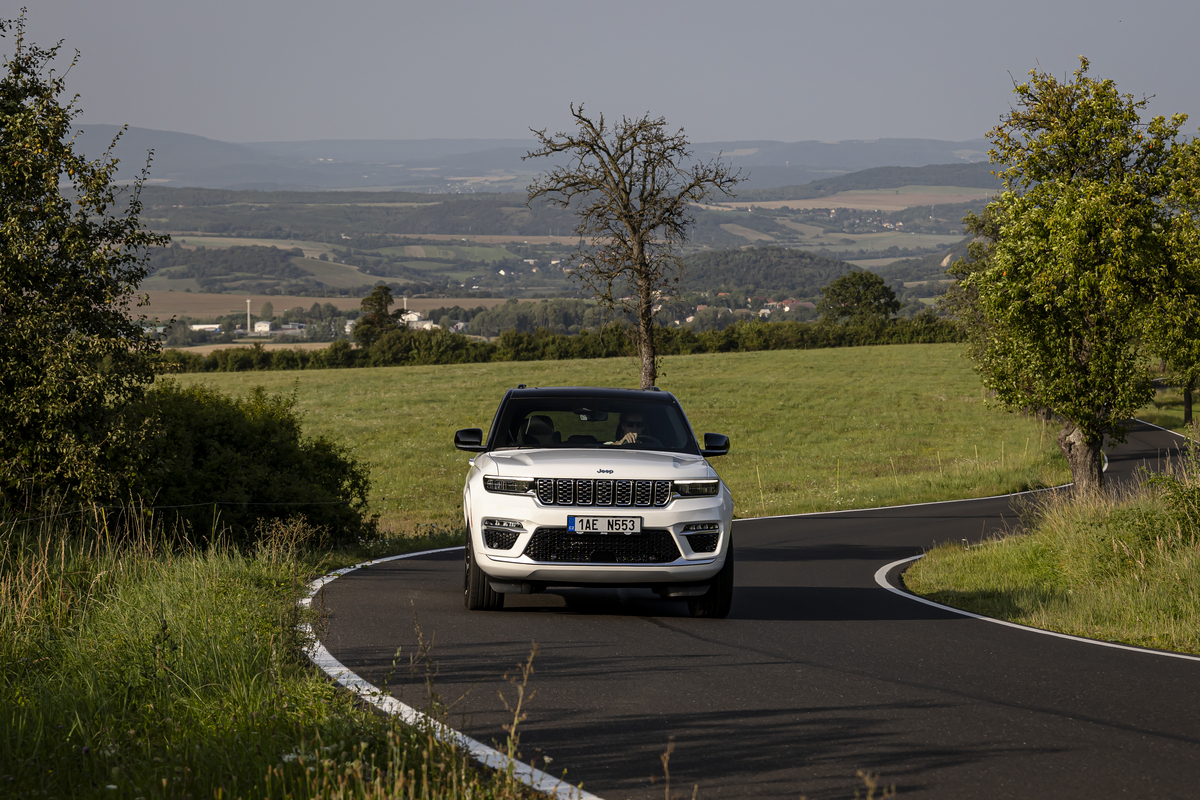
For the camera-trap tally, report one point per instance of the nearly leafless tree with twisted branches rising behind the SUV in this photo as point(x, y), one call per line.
point(632, 185)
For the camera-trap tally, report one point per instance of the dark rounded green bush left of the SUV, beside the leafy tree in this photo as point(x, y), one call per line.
point(225, 462)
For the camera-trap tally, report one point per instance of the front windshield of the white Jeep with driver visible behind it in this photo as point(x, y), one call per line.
point(587, 423)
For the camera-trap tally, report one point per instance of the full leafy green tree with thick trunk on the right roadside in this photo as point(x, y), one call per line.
point(1066, 292)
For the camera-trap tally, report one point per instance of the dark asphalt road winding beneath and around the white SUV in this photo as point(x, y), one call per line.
point(818, 673)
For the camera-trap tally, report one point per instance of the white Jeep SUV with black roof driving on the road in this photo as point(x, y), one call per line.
point(596, 488)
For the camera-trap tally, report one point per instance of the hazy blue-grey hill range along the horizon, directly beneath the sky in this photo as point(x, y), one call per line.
point(469, 166)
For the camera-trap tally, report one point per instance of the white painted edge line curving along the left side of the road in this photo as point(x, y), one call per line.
point(490, 757)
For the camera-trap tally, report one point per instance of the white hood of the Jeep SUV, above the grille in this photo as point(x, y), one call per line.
point(620, 465)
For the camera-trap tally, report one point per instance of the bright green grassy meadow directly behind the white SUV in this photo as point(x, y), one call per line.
point(811, 431)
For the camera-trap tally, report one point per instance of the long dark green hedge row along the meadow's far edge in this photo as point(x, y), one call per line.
point(405, 347)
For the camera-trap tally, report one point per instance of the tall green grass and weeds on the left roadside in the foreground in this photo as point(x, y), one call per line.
point(136, 669)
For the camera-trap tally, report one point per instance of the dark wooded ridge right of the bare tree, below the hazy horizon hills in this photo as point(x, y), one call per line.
point(971, 176)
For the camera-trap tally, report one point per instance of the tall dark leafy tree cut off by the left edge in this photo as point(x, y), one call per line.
point(73, 254)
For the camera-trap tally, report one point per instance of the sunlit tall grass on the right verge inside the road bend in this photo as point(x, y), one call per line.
point(1123, 567)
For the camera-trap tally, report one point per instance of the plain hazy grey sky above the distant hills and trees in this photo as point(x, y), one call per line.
point(291, 70)
